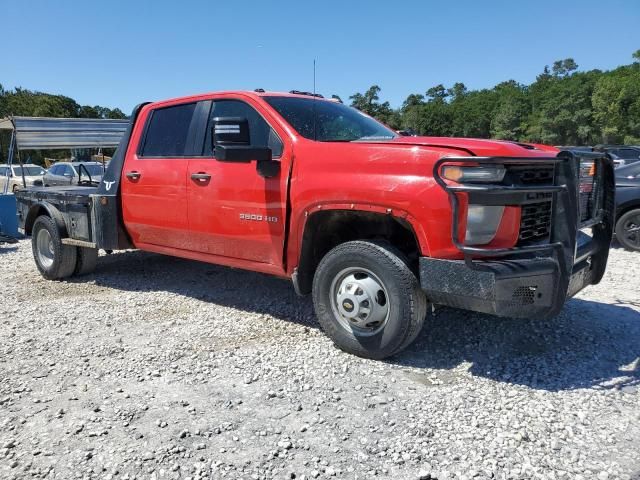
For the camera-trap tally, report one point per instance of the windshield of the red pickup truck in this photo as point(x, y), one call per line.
point(328, 121)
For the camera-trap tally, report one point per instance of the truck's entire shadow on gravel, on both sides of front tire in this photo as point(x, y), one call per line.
point(589, 345)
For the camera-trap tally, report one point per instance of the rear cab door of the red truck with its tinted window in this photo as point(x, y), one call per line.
point(154, 196)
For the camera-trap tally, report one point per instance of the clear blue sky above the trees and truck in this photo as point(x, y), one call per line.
point(117, 53)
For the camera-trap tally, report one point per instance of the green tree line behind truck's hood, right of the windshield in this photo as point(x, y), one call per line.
point(563, 106)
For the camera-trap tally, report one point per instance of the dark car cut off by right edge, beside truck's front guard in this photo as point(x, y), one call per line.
point(628, 206)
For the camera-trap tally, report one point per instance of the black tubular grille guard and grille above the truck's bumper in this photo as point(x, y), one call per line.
point(559, 197)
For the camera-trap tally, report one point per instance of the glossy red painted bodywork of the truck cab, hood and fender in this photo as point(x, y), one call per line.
point(167, 212)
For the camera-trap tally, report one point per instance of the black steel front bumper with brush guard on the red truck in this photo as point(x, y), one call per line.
point(531, 280)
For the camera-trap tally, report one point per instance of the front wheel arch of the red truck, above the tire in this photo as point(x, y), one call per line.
point(325, 228)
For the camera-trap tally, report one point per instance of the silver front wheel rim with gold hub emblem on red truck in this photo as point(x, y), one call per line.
point(359, 301)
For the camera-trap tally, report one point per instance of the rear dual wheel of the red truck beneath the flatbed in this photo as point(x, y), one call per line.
point(54, 260)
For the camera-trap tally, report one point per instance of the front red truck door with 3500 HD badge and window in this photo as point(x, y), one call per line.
point(233, 211)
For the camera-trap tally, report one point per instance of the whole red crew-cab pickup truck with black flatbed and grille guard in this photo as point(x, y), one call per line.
point(374, 225)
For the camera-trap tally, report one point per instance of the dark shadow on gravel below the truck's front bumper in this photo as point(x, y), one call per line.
point(589, 345)
